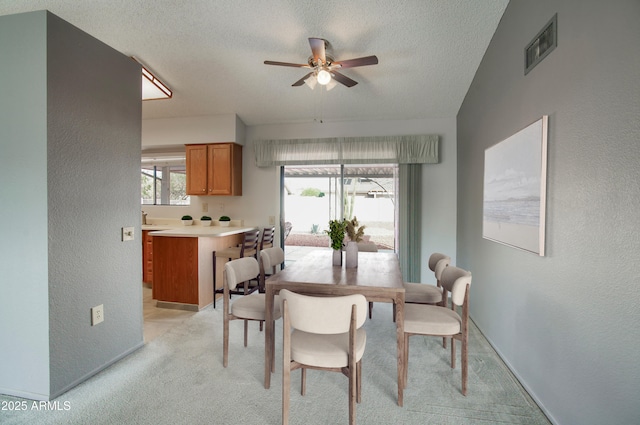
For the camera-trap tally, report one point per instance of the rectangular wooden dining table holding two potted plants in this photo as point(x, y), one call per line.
point(377, 277)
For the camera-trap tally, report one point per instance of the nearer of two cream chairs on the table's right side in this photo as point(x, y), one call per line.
point(437, 320)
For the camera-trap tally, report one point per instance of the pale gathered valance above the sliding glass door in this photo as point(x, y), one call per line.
point(415, 149)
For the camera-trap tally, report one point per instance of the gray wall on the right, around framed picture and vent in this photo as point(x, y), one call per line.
point(567, 323)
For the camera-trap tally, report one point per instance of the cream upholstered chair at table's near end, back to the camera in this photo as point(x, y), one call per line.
point(323, 333)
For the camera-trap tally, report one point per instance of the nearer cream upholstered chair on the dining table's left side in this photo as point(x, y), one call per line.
point(247, 307)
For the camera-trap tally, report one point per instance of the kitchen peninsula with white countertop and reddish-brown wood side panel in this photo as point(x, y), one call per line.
point(182, 263)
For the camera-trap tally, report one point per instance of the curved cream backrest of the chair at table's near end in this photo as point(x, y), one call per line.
point(324, 315)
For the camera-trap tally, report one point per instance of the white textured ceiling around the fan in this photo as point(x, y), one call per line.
point(211, 53)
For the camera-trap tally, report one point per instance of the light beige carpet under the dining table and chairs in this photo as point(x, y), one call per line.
point(178, 378)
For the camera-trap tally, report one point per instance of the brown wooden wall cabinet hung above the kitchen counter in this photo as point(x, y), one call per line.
point(214, 169)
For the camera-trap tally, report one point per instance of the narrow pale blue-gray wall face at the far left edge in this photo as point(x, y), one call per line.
point(24, 294)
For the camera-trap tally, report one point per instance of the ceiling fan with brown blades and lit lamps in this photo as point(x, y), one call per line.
point(324, 67)
